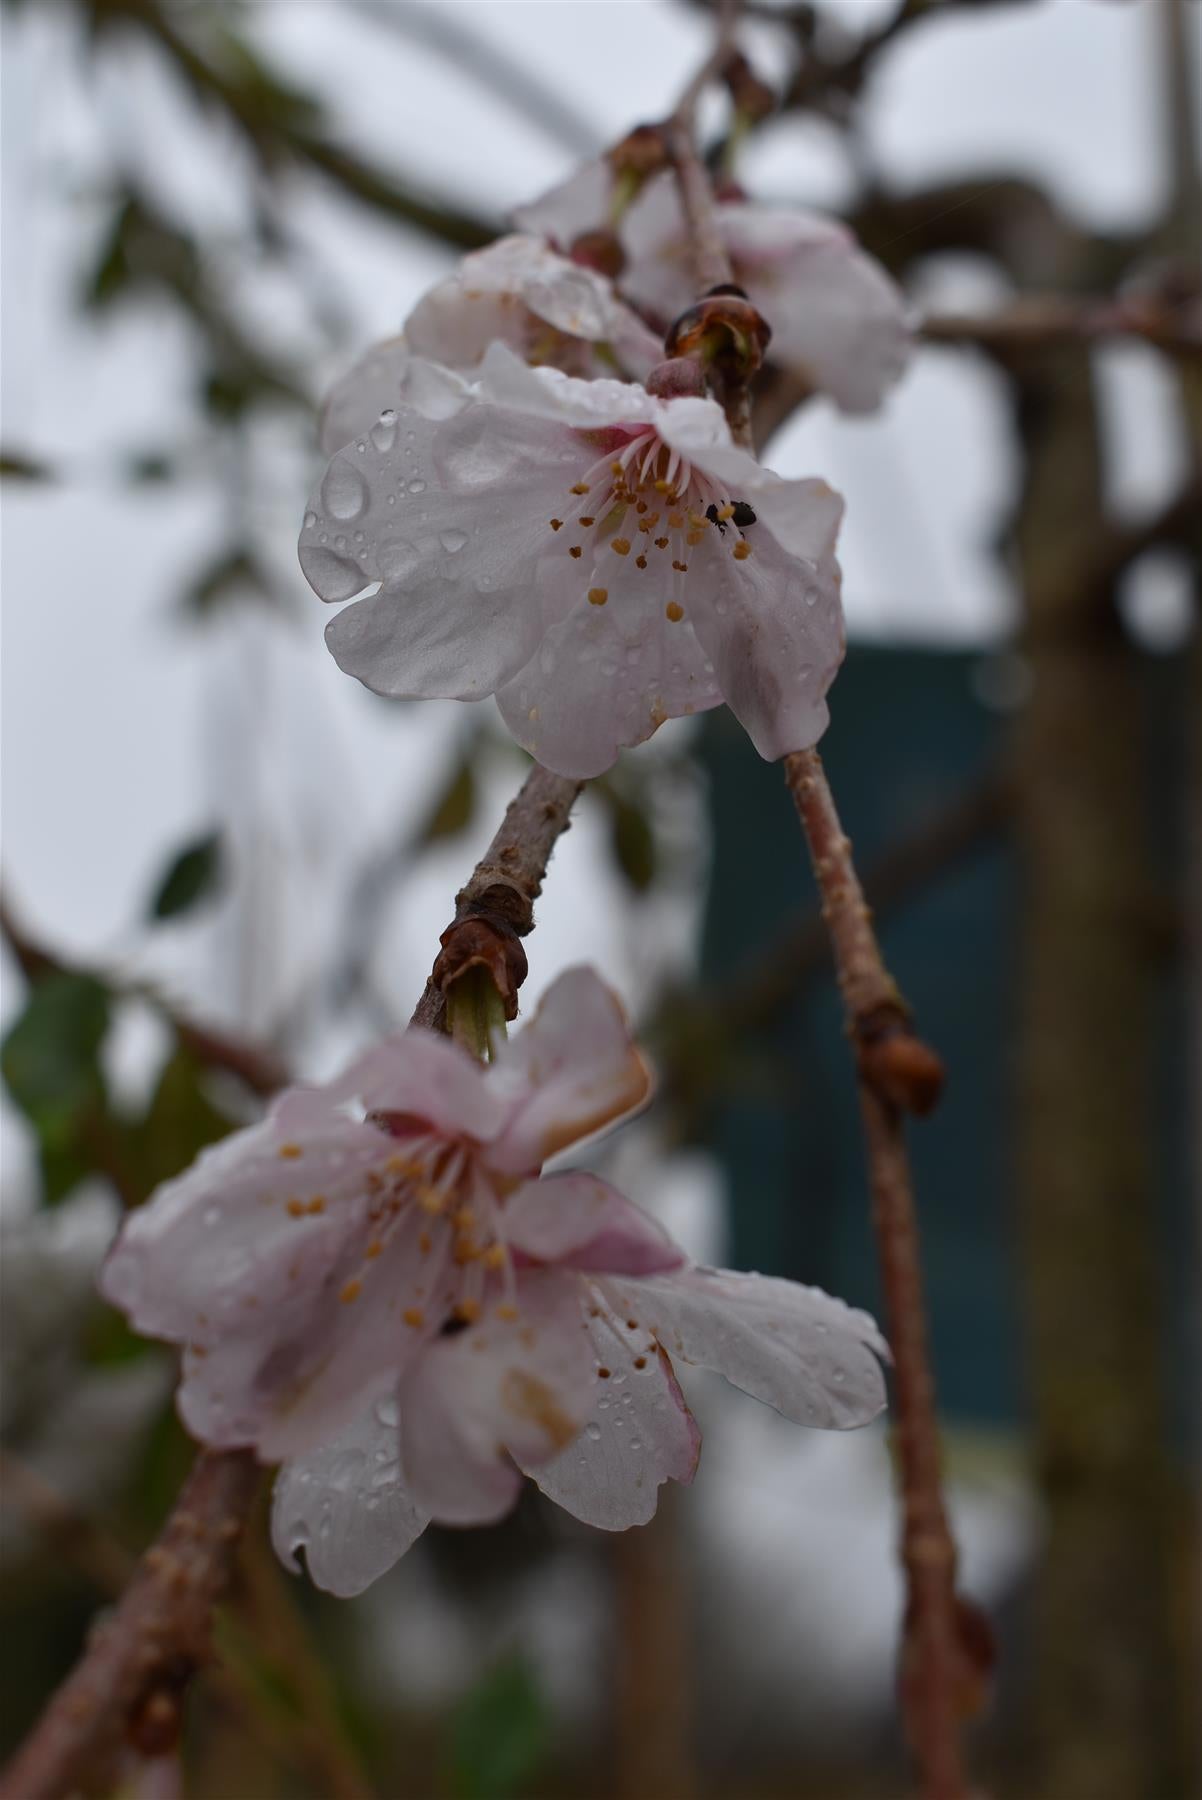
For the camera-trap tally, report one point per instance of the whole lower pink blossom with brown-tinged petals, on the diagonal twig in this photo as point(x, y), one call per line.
point(381, 1290)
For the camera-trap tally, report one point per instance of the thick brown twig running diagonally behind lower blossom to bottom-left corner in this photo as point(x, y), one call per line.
point(141, 1659)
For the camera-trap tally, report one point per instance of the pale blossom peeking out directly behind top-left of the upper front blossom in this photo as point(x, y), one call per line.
point(517, 291)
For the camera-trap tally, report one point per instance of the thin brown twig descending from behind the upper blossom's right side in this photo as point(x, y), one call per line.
point(895, 1070)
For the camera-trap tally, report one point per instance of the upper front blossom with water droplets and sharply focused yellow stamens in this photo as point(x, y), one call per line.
point(597, 557)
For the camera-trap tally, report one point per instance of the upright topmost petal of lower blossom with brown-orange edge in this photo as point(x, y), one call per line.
point(571, 1070)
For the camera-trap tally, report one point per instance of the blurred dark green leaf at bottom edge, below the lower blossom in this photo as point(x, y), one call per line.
point(499, 1734)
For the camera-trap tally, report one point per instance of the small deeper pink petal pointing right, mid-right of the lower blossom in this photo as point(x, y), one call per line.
point(584, 1223)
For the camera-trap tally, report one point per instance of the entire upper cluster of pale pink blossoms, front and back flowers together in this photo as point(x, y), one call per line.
point(526, 521)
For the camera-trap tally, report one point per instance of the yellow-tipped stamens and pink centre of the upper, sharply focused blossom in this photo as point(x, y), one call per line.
point(652, 503)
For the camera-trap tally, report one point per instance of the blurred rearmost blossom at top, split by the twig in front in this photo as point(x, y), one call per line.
point(838, 318)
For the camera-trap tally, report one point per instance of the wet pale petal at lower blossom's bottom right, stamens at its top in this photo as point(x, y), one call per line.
point(641, 1434)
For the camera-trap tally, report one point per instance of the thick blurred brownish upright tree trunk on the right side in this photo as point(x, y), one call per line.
point(1104, 1650)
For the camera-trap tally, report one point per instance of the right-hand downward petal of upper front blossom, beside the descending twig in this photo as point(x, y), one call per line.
point(773, 627)
